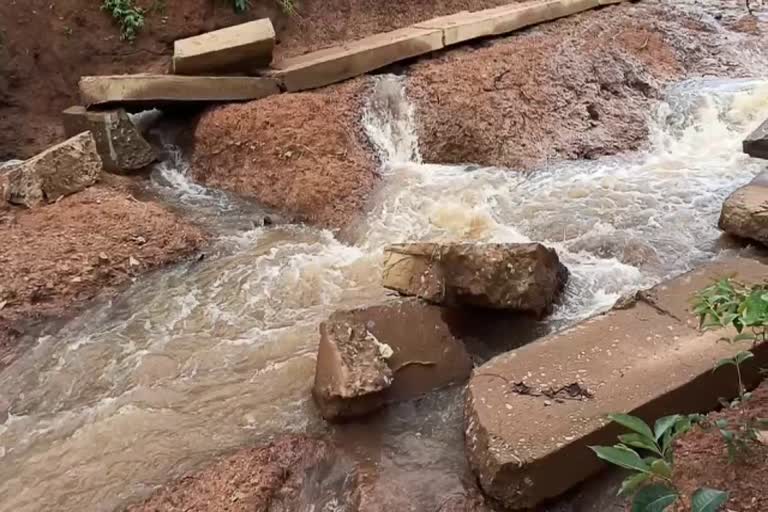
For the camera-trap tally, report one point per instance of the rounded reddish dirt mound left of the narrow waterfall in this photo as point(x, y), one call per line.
point(303, 153)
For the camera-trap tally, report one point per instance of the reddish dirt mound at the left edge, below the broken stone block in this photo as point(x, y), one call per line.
point(57, 257)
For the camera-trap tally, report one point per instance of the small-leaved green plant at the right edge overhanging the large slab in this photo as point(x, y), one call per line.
point(729, 303)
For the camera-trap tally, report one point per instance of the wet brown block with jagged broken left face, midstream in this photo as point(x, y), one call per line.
point(379, 354)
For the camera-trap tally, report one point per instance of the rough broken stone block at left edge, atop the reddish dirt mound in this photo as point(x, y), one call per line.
point(61, 170)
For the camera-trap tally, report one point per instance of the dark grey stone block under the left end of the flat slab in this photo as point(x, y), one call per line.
point(119, 142)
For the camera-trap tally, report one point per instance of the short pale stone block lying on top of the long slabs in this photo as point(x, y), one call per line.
point(243, 47)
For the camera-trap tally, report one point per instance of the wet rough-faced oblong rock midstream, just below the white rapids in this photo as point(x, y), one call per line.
point(522, 277)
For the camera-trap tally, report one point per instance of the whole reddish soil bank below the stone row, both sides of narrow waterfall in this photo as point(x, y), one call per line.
point(577, 88)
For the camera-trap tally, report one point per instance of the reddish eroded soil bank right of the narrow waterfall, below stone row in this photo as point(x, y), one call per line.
point(579, 87)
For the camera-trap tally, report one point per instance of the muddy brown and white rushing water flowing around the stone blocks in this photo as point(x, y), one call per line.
point(219, 353)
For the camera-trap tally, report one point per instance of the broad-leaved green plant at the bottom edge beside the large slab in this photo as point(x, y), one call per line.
point(649, 455)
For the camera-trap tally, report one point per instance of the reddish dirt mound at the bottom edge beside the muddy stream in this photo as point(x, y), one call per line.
point(254, 479)
